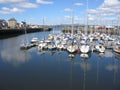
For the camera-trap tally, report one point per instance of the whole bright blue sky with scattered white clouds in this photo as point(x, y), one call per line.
point(59, 11)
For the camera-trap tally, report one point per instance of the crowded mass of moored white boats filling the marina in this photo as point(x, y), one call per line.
point(76, 42)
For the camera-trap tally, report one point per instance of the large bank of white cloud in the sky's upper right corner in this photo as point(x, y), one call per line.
point(107, 11)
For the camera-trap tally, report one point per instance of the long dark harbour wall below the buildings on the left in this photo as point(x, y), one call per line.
point(6, 33)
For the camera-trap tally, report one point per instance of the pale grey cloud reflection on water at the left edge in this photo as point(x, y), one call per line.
point(15, 57)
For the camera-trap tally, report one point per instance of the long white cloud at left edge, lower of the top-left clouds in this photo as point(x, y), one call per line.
point(6, 10)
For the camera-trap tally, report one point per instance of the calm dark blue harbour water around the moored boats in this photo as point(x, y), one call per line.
point(55, 70)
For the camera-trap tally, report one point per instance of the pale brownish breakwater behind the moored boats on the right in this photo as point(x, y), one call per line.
point(81, 29)
